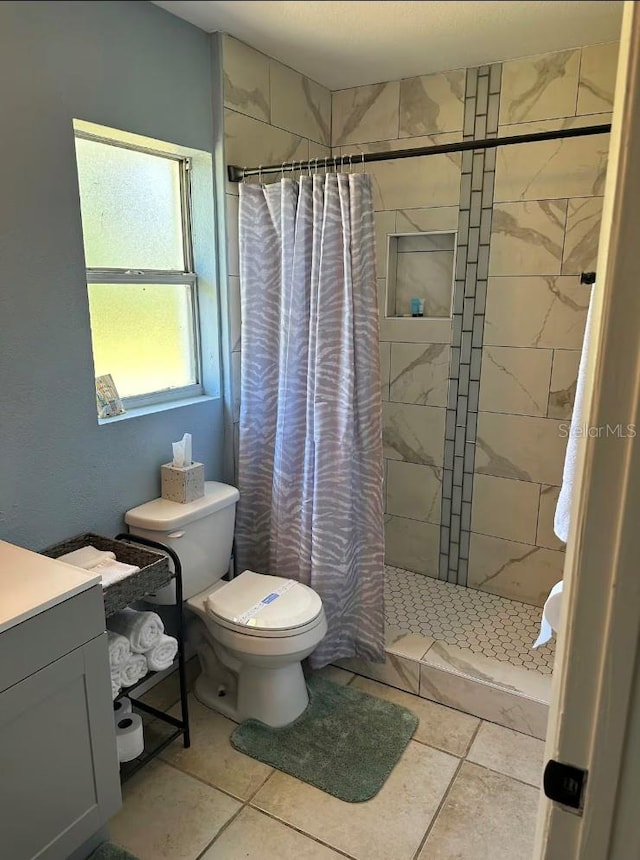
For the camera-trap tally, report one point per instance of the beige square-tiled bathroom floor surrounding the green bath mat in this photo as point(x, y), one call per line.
point(463, 789)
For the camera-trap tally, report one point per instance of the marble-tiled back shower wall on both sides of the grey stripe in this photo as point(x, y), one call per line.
point(541, 228)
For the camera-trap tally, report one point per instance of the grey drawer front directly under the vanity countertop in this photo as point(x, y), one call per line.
point(28, 647)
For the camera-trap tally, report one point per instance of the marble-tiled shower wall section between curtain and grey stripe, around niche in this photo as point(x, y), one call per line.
point(410, 195)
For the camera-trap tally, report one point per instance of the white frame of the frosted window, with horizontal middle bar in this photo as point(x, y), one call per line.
point(187, 276)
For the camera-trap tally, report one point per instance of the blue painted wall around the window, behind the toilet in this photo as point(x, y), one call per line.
point(127, 65)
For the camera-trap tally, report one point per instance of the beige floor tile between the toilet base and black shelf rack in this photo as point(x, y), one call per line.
point(211, 756)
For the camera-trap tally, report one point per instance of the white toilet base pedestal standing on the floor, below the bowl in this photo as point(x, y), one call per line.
point(276, 697)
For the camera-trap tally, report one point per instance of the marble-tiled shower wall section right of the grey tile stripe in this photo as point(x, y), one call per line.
point(546, 222)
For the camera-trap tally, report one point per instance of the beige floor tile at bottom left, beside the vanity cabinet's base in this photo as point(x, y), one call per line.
point(167, 815)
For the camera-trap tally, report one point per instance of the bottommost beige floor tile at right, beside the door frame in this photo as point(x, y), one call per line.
point(486, 816)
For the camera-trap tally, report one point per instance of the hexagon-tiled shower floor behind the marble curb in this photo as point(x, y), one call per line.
point(484, 623)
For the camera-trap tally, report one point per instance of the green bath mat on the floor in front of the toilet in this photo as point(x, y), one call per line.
point(346, 742)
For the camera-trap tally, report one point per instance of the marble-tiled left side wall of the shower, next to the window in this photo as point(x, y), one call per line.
point(272, 115)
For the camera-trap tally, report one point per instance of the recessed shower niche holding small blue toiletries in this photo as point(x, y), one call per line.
point(420, 270)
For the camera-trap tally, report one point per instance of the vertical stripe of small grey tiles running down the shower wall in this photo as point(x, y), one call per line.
point(482, 102)
